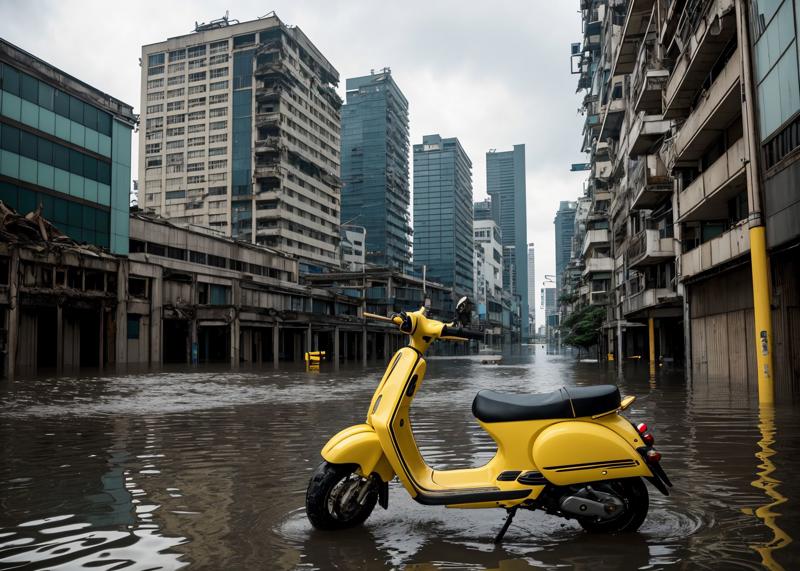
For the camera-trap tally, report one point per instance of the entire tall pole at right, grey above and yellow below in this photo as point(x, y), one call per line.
point(759, 262)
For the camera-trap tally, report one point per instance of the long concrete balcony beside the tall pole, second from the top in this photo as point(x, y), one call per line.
point(716, 110)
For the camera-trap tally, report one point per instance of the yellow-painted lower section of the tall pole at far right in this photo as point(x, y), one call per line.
point(762, 312)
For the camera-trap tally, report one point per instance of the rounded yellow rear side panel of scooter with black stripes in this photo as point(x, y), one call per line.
point(575, 452)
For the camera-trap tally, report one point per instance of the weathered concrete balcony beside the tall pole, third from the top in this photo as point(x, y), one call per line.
point(707, 196)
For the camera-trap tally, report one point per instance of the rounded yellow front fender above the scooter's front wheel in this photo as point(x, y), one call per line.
point(359, 445)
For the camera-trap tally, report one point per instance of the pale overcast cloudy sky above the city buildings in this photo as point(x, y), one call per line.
point(493, 77)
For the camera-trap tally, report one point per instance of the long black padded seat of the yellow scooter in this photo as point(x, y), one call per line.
point(493, 406)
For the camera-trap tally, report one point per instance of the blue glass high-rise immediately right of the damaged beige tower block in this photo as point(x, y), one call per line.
point(375, 141)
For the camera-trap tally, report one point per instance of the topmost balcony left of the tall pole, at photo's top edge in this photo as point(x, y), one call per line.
point(701, 39)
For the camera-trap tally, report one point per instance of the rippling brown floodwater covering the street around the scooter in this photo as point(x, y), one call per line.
point(207, 468)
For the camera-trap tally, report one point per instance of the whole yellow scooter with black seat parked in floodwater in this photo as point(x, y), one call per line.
point(570, 453)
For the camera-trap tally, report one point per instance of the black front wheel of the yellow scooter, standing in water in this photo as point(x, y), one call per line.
point(332, 484)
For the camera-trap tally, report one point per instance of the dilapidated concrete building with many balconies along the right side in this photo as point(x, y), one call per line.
point(677, 155)
